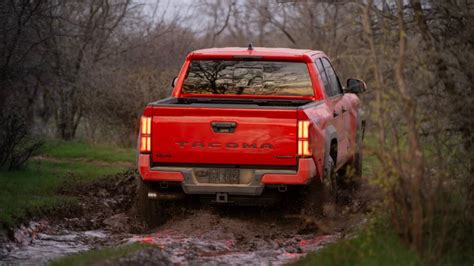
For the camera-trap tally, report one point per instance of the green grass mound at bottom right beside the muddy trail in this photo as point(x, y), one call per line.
point(369, 247)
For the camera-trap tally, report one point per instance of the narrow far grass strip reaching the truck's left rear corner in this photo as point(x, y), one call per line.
point(80, 150)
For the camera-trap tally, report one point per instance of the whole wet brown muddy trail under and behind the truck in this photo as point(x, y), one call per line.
point(106, 216)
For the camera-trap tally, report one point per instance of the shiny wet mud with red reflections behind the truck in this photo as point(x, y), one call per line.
point(181, 249)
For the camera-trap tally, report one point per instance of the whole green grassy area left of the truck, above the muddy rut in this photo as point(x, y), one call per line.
point(34, 189)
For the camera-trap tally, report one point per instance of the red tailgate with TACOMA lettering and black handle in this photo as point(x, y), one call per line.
point(224, 136)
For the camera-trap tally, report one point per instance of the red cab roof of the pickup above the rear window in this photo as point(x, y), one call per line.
point(270, 53)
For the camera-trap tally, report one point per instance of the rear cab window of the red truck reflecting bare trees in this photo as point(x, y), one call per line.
point(247, 78)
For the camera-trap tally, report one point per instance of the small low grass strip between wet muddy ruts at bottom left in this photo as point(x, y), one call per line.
point(95, 256)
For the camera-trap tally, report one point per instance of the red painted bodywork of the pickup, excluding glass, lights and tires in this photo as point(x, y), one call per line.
point(183, 135)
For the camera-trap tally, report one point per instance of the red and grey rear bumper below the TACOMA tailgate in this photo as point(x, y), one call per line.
point(184, 175)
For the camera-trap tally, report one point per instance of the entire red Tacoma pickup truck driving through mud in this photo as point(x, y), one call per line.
point(242, 122)
